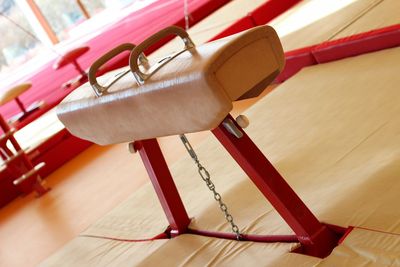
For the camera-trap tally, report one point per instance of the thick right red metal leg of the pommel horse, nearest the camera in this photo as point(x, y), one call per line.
point(315, 238)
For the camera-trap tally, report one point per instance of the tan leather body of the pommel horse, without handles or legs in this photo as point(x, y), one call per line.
point(211, 77)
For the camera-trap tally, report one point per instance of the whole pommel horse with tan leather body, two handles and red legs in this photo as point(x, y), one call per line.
point(190, 91)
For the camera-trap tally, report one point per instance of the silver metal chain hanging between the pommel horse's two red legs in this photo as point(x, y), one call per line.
point(205, 175)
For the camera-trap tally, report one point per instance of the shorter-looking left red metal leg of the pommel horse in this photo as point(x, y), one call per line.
point(164, 185)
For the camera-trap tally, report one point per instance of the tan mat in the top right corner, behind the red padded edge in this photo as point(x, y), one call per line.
point(314, 21)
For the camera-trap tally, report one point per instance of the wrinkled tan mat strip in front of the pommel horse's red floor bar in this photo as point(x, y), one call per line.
point(361, 247)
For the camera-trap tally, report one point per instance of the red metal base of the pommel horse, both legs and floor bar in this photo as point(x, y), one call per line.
point(316, 239)
